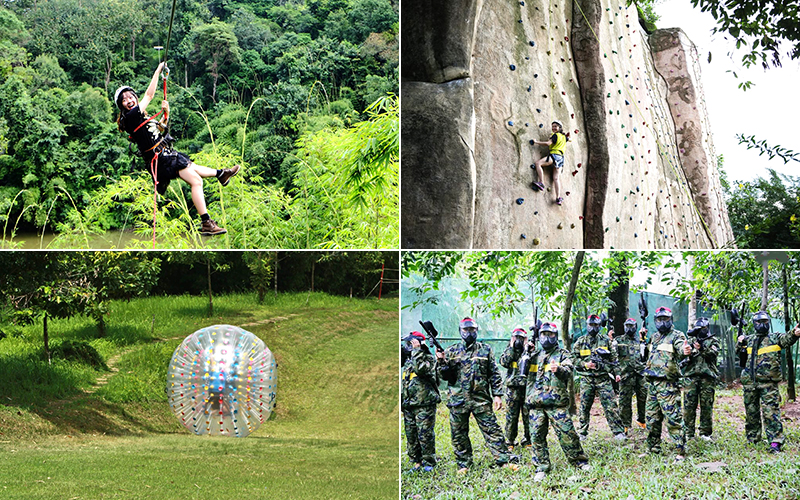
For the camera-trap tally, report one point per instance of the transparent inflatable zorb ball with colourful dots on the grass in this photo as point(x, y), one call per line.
point(222, 380)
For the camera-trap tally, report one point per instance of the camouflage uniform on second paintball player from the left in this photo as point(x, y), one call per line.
point(477, 382)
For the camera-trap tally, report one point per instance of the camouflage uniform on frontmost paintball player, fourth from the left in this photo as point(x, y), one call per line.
point(548, 401)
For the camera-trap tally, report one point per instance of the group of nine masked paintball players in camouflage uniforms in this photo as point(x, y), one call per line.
point(670, 374)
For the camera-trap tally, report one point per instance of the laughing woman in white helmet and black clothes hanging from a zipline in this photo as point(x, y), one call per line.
point(156, 149)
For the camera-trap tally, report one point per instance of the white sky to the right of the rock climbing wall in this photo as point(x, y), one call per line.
point(770, 109)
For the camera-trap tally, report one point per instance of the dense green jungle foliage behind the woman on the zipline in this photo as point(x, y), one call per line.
point(300, 93)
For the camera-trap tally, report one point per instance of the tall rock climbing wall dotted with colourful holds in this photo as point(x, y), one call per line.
point(519, 78)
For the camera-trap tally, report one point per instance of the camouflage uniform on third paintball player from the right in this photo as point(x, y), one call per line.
point(664, 393)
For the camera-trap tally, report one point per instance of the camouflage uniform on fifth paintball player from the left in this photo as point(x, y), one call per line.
point(597, 381)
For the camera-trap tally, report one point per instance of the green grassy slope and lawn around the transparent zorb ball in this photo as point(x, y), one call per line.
point(333, 435)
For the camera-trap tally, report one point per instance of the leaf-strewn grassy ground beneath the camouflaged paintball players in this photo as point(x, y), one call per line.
point(624, 471)
